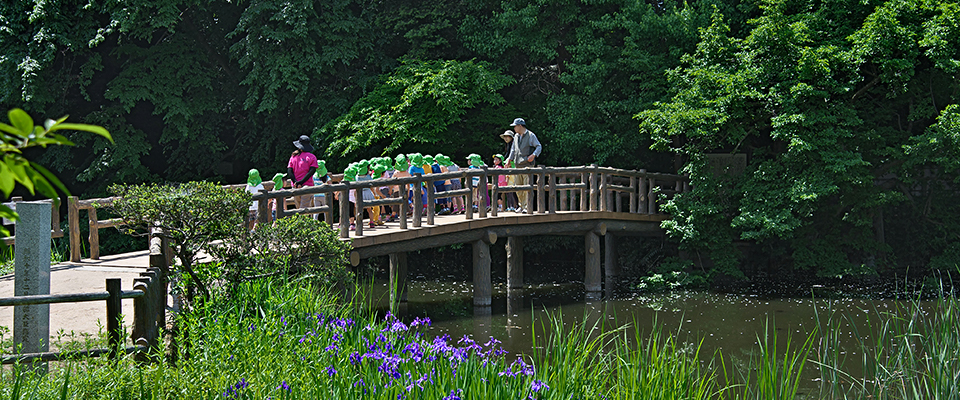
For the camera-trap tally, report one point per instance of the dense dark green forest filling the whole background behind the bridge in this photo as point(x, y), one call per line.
point(845, 110)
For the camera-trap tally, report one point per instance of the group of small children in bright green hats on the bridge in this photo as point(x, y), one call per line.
point(403, 165)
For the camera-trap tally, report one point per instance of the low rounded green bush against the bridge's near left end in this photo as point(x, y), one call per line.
point(296, 246)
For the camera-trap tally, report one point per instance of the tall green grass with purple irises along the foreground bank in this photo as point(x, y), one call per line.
point(288, 340)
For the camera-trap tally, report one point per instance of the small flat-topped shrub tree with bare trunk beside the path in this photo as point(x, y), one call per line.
point(191, 216)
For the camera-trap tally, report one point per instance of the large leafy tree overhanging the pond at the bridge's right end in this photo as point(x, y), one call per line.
point(840, 107)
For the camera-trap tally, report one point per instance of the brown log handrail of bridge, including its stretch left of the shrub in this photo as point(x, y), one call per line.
point(598, 188)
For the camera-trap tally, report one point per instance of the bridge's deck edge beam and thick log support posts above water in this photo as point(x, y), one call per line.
point(481, 233)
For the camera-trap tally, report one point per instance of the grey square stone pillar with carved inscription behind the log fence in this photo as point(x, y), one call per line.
point(31, 324)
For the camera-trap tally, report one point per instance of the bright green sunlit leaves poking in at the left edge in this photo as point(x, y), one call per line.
point(22, 134)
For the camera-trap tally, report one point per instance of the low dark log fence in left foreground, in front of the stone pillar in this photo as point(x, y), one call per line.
point(149, 296)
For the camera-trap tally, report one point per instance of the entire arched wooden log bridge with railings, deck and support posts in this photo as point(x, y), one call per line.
point(589, 200)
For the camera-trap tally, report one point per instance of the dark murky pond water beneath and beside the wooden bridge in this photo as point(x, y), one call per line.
point(730, 323)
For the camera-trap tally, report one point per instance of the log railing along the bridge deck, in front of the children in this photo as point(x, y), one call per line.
point(585, 189)
